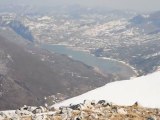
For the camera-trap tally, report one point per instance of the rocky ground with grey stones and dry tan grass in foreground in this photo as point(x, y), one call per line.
point(89, 110)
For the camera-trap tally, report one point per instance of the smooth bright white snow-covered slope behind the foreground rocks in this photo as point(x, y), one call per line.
point(145, 90)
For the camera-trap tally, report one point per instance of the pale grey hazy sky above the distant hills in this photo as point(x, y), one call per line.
point(140, 5)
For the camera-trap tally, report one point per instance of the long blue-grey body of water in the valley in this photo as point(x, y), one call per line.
point(104, 65)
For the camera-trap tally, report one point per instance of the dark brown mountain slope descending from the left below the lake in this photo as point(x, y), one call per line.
point(28, 74)
